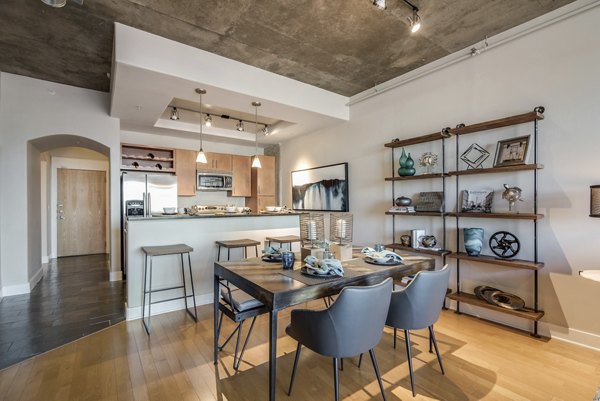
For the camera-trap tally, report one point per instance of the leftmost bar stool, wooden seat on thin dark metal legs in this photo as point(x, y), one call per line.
point(149, 253)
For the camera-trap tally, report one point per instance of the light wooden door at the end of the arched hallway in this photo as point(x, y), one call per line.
point(81, 212)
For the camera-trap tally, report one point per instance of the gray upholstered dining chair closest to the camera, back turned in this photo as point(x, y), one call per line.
point(353, 324)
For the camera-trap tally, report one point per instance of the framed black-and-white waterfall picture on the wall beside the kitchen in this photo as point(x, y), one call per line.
point(321, 188)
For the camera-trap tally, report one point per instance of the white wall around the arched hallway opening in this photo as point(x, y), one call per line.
point(32, 109)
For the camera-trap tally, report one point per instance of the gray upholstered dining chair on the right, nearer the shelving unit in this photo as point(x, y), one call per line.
point(417, 306)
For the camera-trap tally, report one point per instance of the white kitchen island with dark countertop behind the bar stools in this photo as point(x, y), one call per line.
point(199, 232)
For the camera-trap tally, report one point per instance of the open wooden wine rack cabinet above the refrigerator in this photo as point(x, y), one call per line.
point(147, 159)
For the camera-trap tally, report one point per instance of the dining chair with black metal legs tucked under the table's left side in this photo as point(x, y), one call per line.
point(238, 306)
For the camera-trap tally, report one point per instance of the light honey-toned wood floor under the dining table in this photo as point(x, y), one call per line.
point(482, 362)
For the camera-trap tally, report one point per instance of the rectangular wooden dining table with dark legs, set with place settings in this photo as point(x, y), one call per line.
point(279, 289)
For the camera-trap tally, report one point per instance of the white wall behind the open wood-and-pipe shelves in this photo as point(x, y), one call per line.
point(557, 67)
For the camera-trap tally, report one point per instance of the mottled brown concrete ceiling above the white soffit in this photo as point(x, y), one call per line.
point(344, 46)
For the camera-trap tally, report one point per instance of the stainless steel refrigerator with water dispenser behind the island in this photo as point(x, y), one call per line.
point(144, 195)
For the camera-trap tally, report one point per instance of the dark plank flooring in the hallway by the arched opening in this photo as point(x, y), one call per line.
point(73, 299)
